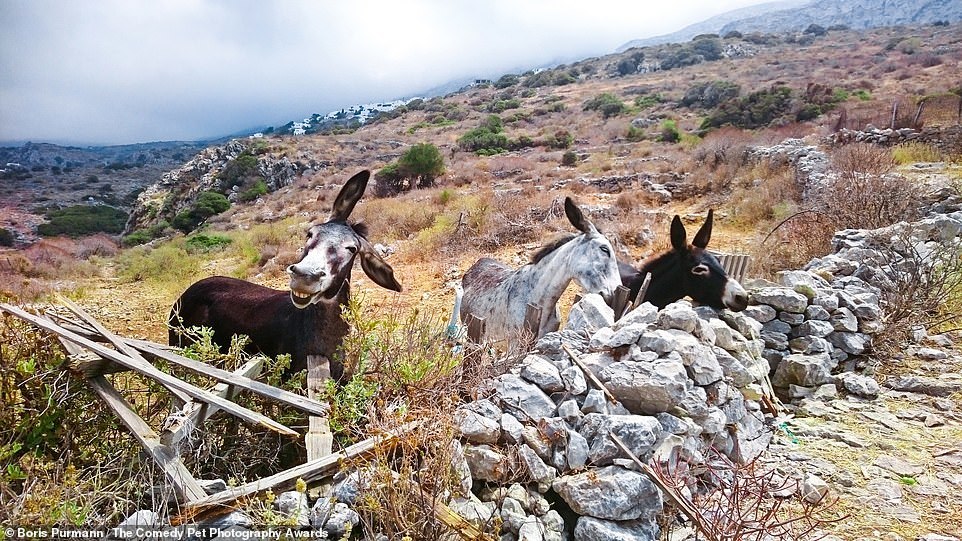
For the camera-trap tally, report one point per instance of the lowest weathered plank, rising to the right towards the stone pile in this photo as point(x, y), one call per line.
point(312, 471)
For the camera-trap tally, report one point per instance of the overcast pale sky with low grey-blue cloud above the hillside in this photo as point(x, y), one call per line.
point(129, 71)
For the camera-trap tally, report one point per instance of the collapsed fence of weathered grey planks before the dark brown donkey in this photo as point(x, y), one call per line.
point(92, 360)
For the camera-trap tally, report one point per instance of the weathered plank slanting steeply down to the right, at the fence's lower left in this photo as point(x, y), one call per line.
point(185, 486)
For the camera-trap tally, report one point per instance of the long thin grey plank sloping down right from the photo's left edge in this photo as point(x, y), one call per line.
point(150, 371)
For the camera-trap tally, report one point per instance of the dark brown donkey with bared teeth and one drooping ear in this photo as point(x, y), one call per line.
point(305, 320)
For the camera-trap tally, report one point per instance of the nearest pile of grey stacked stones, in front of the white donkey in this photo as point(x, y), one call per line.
point(681, 378)
